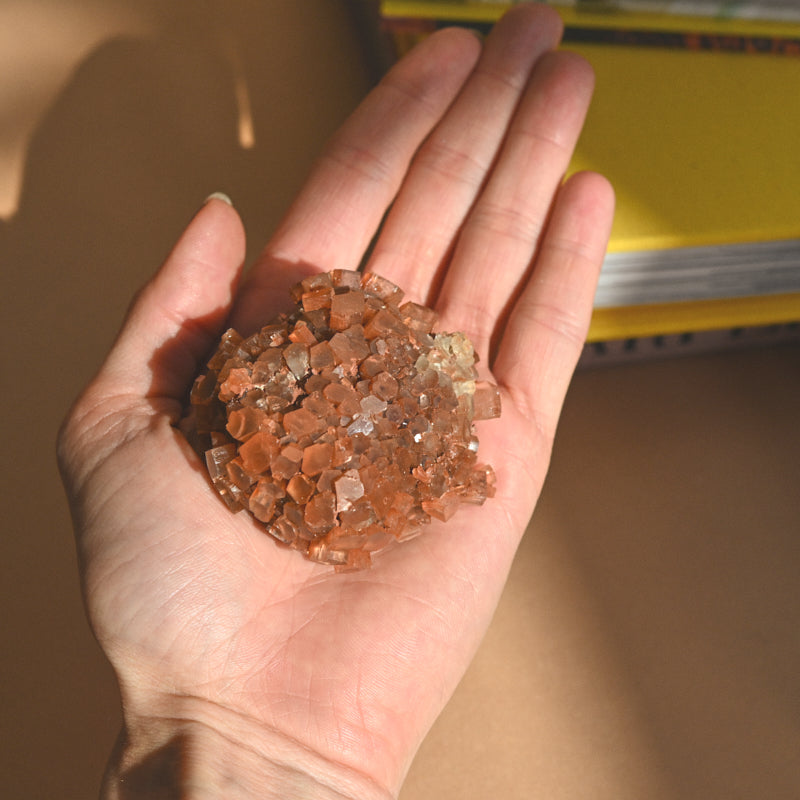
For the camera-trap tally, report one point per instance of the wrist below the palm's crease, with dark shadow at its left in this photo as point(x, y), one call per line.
point(199, 751)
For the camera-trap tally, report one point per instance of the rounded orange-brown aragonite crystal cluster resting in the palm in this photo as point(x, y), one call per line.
point(346, 425)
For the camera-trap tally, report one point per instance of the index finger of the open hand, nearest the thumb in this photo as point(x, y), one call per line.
point(334, 218)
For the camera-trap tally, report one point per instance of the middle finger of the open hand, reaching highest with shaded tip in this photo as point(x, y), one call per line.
point(451, 167)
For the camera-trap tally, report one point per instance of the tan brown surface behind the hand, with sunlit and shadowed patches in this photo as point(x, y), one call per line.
point(647, 644)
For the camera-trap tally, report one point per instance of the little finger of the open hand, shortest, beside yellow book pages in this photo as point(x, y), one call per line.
point(547, 327)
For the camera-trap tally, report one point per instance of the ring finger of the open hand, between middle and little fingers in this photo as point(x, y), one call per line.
point(501, 235)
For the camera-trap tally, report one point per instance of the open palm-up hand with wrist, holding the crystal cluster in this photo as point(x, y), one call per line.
point(245, 669)
